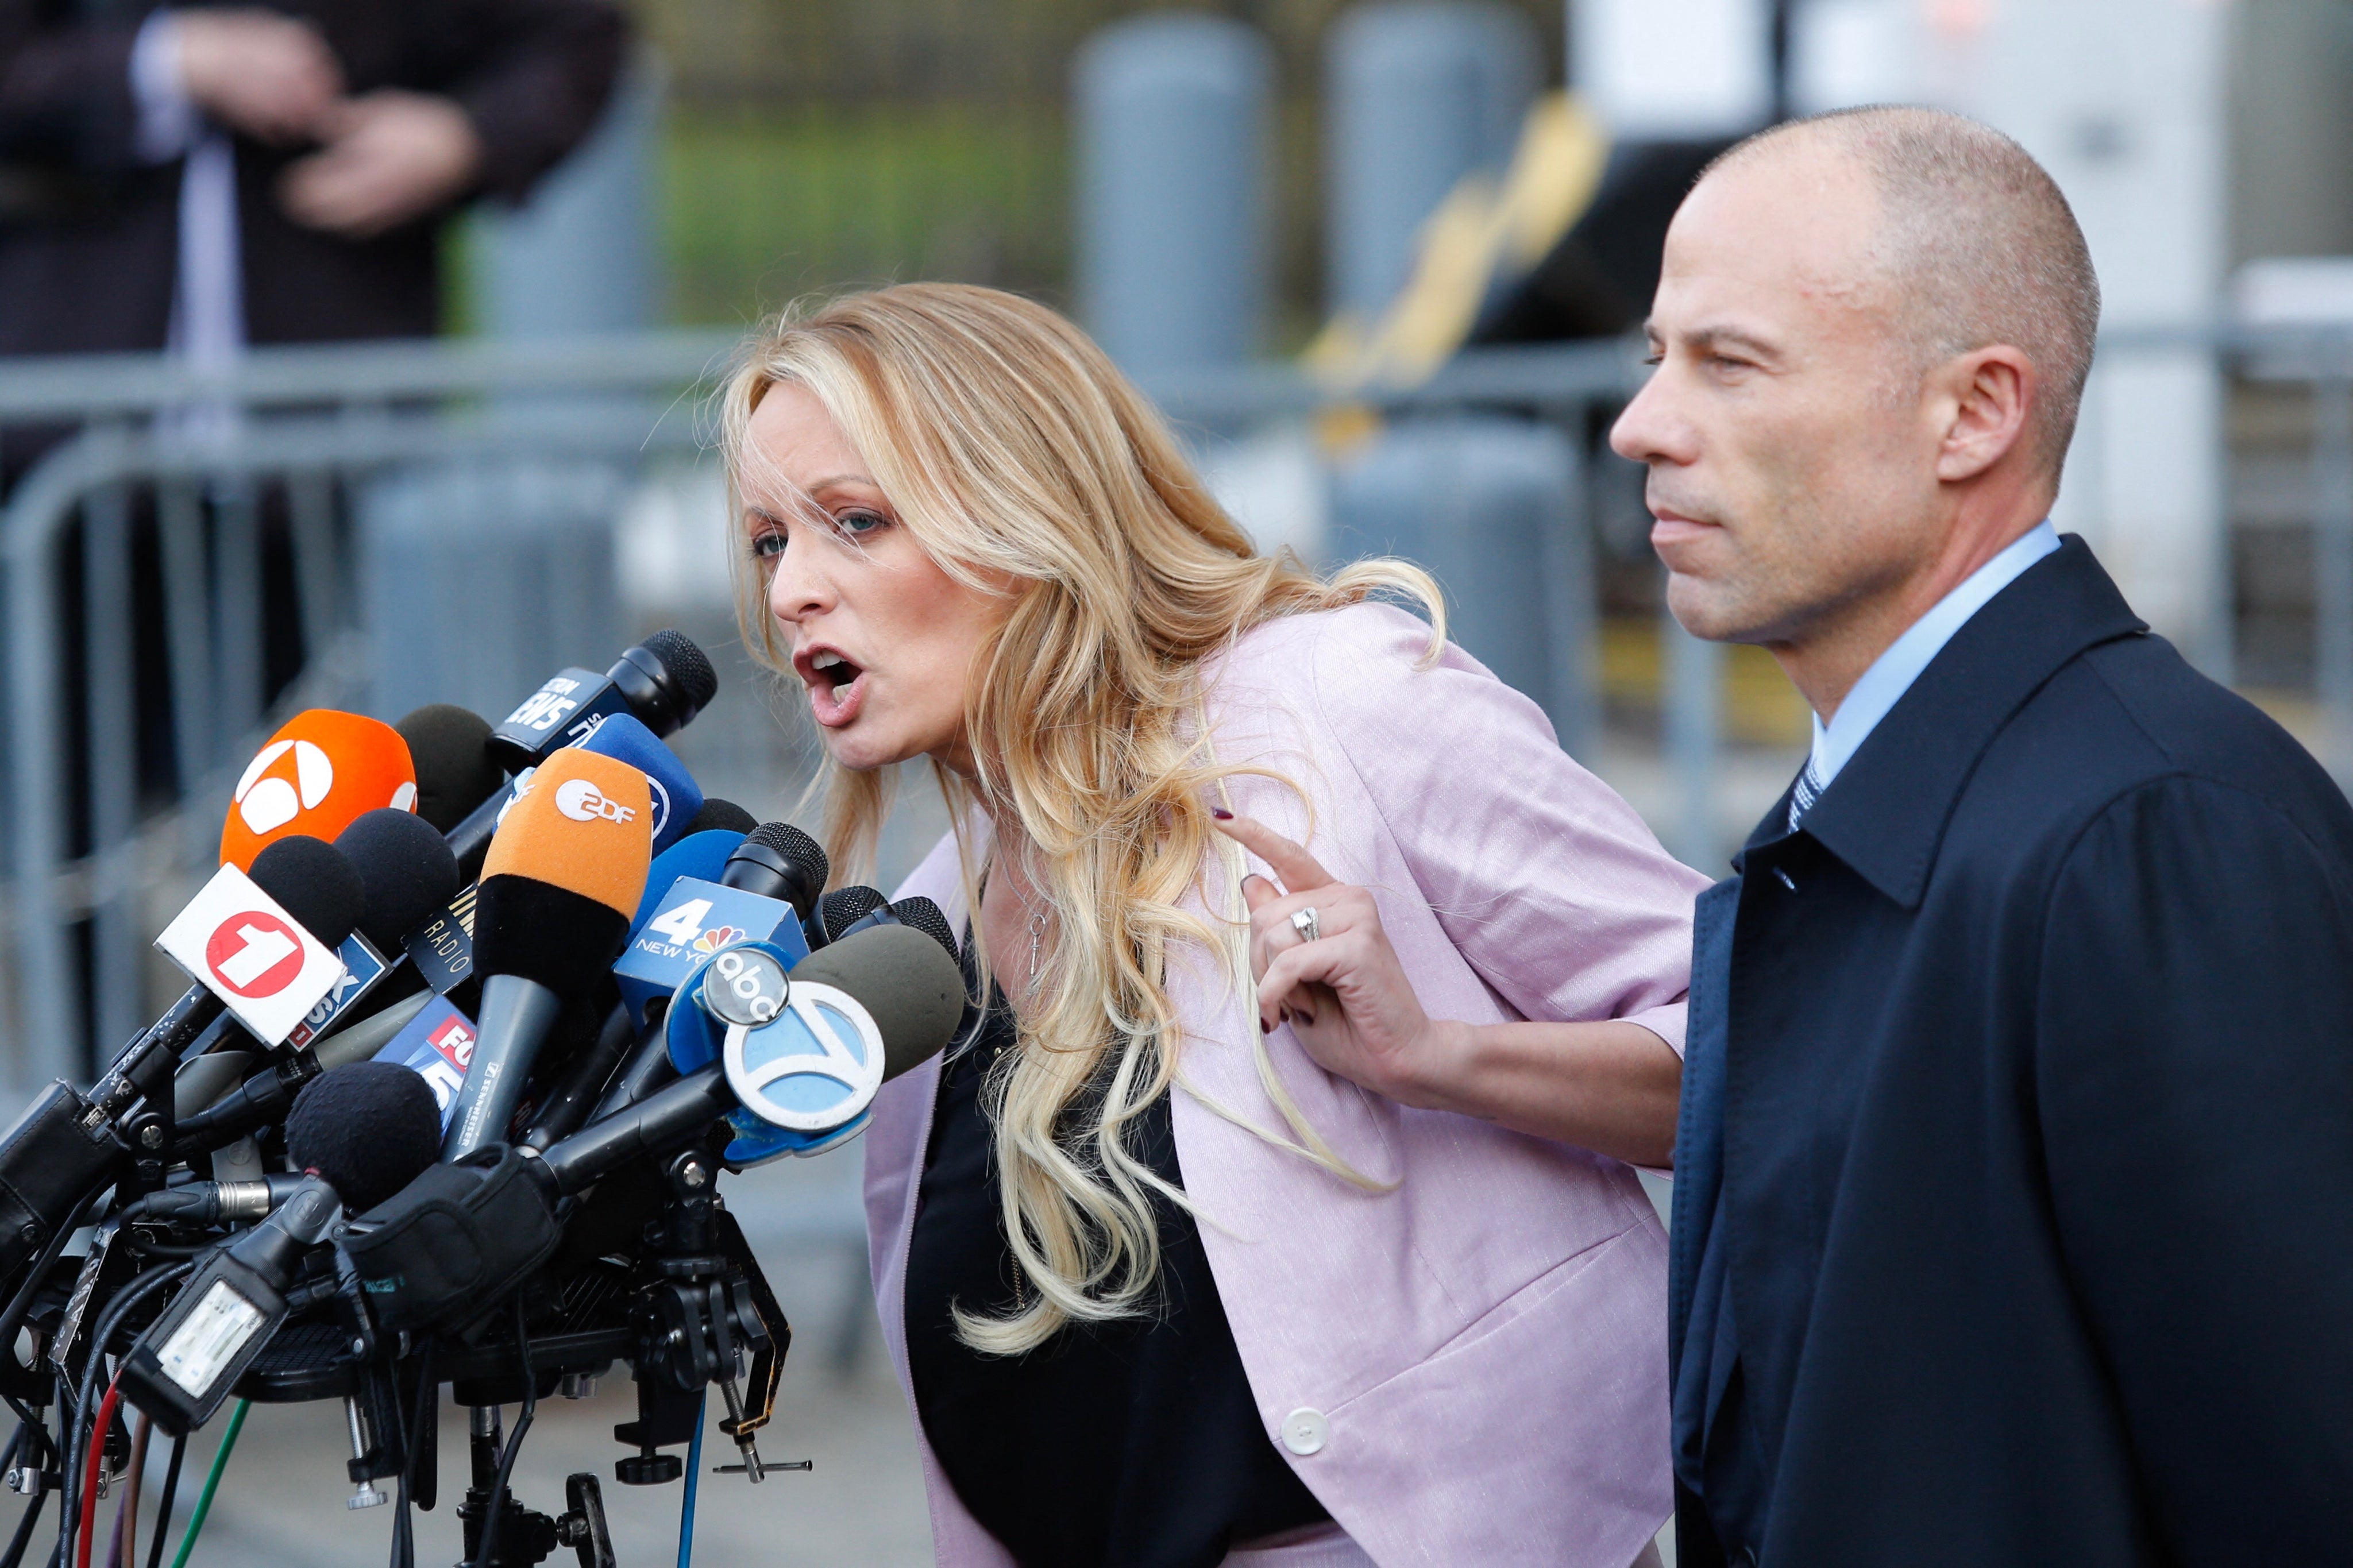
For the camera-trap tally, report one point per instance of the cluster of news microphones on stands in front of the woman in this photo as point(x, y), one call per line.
point(479, 1019)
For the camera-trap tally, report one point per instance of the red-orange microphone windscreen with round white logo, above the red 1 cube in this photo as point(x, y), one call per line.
point(316, 777)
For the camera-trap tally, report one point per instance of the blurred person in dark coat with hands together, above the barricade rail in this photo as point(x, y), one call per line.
point(206, 180)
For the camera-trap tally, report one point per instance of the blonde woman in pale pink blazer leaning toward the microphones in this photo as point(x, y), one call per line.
point(1164, 1289)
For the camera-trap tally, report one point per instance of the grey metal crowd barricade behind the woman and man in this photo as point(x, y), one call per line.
point(309, 422)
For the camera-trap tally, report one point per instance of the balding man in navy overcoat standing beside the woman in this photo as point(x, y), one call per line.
point(2015, 1167)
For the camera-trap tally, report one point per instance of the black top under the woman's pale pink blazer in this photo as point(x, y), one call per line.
point(1128, 1445)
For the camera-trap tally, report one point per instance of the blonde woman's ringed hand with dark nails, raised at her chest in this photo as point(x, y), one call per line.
point(1345, 993)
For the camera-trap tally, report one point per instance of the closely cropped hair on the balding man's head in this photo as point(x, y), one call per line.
point(1978, 239)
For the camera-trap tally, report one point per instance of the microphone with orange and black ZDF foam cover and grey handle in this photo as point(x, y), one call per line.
point(559, 890)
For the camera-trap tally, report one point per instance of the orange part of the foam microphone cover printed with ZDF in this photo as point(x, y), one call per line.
point(582, 824)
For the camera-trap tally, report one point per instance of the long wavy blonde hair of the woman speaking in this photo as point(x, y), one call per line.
point(1013, 450)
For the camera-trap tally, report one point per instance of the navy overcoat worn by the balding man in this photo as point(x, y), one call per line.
point(2015, 1174)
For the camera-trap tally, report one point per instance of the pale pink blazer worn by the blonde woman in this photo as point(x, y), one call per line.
point(1481, 1346)
